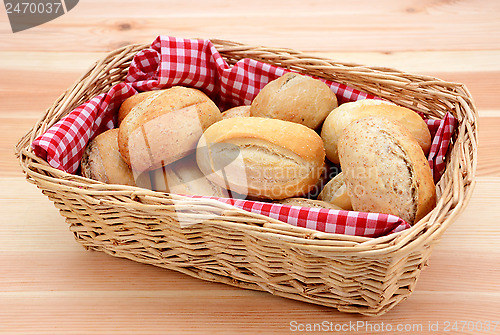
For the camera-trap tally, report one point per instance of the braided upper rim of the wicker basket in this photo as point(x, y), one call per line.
point(423, 232)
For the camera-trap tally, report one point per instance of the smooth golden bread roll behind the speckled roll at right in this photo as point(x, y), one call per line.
point(341, 116)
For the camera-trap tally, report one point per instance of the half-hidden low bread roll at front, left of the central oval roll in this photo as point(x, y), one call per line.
point(184, 177)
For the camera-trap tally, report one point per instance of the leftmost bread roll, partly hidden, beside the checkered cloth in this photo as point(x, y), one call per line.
point(102, 161)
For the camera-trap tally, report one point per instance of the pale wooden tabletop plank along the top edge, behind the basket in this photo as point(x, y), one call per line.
point(322, 26)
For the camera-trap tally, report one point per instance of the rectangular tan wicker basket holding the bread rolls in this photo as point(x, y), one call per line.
point(352, 274)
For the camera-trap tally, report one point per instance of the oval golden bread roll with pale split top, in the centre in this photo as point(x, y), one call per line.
point(261, 157)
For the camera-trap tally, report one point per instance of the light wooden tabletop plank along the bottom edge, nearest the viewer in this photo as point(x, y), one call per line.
point(97, 313)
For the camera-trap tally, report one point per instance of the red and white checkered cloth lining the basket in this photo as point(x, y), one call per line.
point(196, 63)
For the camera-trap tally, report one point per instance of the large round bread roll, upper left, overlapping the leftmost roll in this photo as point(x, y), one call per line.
point(165, 127)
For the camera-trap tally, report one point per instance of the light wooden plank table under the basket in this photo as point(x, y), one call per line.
point(50, 285)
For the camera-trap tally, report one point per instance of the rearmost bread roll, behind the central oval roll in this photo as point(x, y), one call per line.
point(296, 98)
